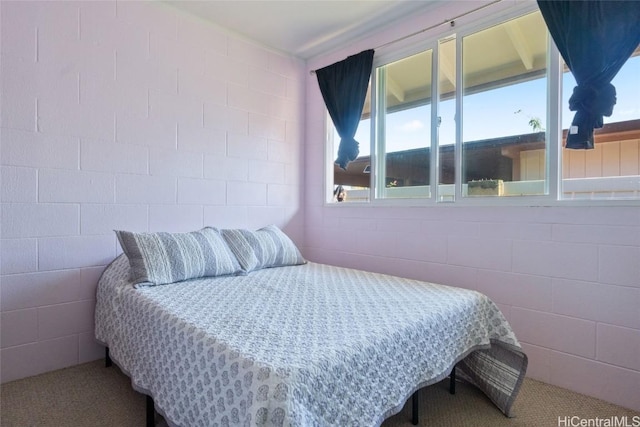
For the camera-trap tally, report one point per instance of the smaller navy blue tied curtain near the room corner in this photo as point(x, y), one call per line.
point(344, 88)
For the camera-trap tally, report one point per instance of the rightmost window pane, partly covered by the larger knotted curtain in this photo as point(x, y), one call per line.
point(612, 169)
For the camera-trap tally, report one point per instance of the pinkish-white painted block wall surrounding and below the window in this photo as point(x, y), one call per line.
point(567, 278)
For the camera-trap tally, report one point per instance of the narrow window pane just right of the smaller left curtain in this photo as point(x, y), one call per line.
point(404, 127)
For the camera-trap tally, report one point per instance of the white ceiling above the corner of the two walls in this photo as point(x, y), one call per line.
point(303, 28)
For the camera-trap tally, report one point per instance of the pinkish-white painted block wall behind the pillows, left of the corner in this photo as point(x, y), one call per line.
point(133, 116)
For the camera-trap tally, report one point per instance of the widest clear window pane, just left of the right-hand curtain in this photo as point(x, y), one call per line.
point(504, 109)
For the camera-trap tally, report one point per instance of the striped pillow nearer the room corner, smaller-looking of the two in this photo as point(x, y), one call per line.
point(267, 247)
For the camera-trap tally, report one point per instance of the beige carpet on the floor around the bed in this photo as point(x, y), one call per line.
point(91, 395)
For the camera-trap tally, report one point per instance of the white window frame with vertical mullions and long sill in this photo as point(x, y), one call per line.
point(553, 133)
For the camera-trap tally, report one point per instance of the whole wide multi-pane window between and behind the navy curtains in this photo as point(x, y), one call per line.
point(476, 116)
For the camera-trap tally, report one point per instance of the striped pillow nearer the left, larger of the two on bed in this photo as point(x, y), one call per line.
point(160, 258)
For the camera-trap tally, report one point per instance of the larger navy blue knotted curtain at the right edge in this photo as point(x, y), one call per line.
point(595, 38)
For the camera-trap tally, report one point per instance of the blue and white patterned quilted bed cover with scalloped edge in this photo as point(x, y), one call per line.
point(309, 345)
